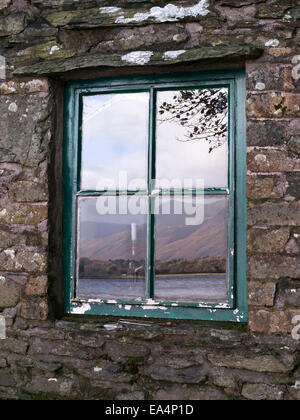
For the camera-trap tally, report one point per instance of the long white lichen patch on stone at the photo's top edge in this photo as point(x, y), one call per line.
point(169, 13)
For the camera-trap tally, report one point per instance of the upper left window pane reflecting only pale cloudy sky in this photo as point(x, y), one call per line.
point(114, 139)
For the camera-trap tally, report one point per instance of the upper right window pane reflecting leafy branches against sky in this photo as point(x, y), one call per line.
point(192, 136)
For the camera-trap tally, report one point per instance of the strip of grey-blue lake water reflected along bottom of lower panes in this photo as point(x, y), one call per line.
point(205, 287)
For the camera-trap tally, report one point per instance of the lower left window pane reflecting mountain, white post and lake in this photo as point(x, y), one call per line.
point(111, 248)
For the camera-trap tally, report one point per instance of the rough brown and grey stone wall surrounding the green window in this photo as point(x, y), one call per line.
point(46, 42)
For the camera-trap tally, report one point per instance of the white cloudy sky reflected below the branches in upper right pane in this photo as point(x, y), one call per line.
point(177, 159)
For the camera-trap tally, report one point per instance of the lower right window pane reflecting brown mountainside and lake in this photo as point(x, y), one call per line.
point(191, 259)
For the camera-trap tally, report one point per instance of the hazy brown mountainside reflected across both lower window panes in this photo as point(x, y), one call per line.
point(174, 240)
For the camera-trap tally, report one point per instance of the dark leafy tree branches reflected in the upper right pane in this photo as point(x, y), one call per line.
point(203, 113)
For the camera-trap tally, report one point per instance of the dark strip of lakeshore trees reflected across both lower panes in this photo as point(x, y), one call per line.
point(120, 268)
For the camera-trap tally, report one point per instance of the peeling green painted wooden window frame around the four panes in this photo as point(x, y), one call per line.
point(236, 310)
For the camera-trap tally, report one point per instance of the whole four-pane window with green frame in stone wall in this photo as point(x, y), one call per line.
point(154, 196)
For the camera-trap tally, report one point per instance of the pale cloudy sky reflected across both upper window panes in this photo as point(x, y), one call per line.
point(115, 138)
